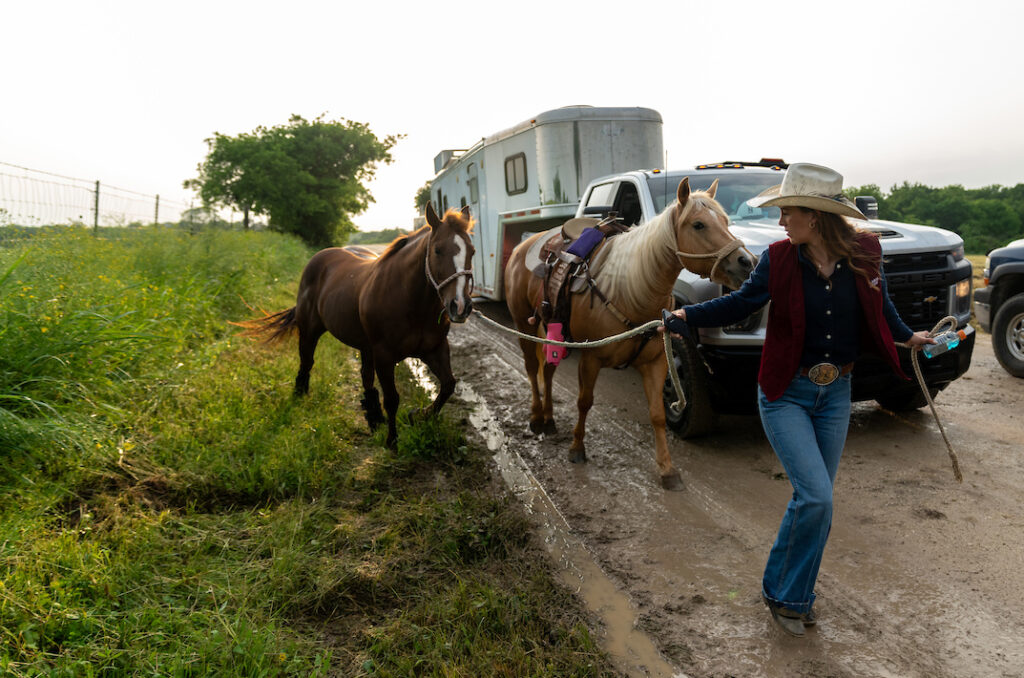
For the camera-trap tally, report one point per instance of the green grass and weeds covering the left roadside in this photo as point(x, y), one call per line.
point(167, 507)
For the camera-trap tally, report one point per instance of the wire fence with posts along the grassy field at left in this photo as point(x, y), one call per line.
point(35, 198)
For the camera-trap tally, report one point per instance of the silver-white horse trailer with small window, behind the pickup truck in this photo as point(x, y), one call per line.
point(531, 178)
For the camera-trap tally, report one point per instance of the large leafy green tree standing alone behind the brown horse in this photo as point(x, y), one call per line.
point(308, 177)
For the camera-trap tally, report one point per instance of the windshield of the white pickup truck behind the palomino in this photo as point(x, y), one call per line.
point(735, 189)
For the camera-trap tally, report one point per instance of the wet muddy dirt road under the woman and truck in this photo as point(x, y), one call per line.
point(922, 577)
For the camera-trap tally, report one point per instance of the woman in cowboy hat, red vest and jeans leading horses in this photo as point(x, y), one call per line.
point(829, 304)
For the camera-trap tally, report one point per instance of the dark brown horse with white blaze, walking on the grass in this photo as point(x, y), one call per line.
point(391, 308)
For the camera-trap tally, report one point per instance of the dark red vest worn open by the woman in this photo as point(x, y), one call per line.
point(785, 337)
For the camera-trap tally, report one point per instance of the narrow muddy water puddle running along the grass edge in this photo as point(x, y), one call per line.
point(631, 650)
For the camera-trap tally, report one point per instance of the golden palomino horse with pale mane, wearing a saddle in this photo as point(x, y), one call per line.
point(636, 272)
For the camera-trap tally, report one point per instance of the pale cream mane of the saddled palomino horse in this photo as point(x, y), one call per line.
point(631, 267)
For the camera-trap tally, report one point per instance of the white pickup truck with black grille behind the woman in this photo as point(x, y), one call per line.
point(927, 275)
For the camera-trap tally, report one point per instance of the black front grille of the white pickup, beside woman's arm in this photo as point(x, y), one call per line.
point(919, 286)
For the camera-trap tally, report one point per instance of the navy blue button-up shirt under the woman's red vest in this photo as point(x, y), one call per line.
point(831, 308)
